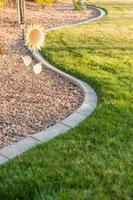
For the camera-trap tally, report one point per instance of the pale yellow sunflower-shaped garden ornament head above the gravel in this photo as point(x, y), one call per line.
point(35, 36)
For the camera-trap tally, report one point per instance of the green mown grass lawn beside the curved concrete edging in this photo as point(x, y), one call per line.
point(94, 160)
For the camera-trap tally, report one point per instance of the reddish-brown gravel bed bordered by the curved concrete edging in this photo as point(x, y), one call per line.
point(30, 103)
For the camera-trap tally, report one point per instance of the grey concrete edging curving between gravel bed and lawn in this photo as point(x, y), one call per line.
point(88, 105)
